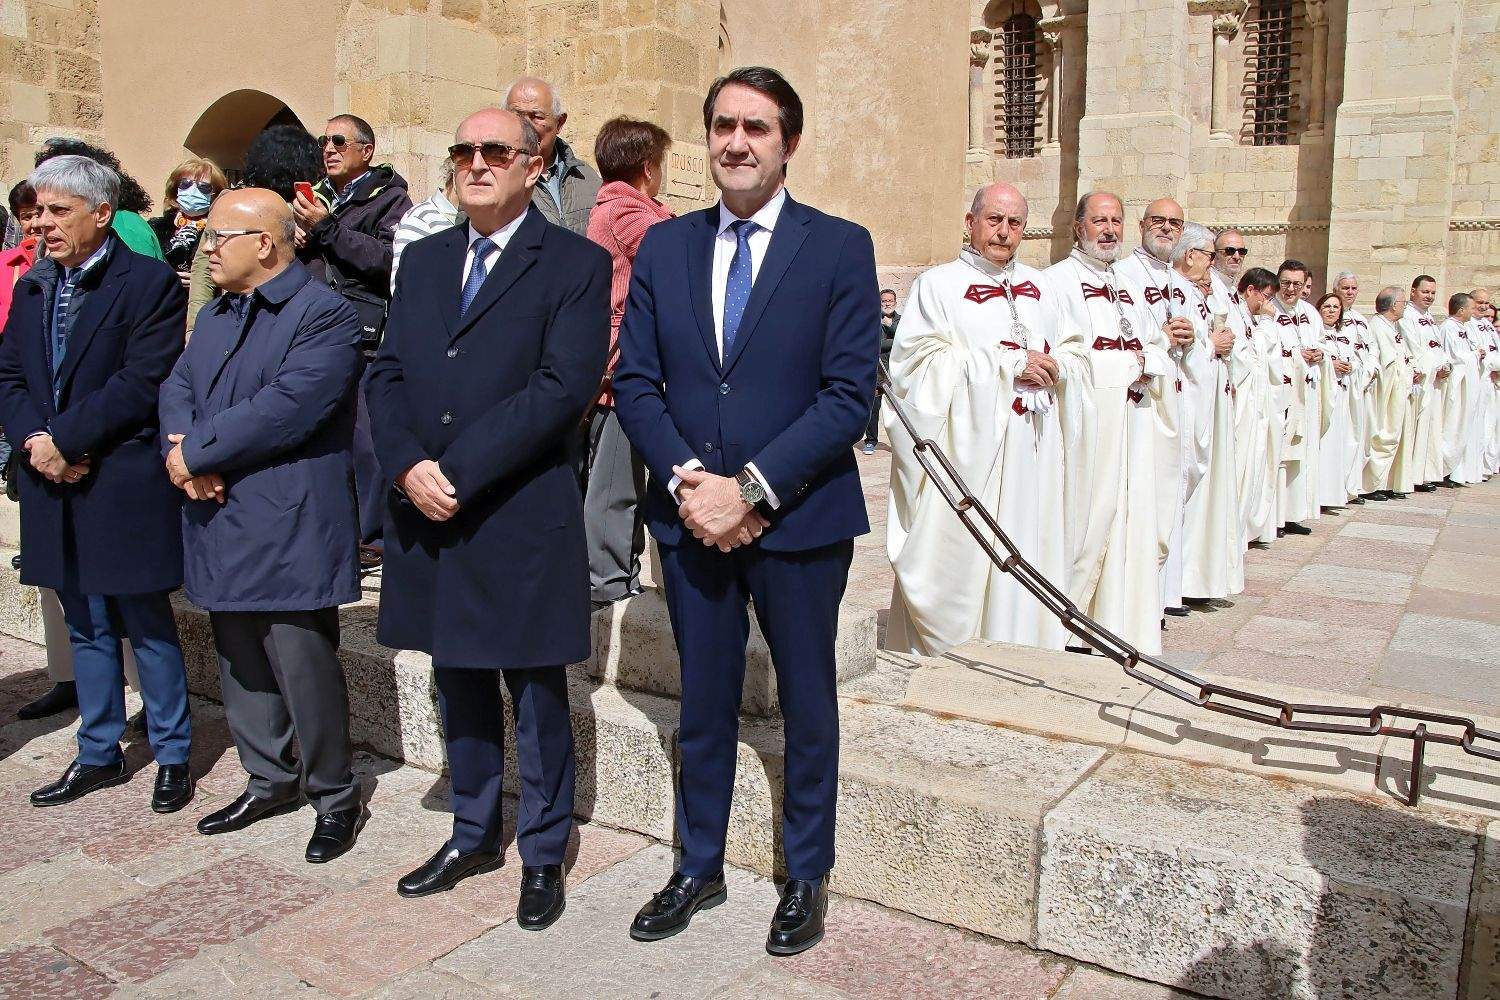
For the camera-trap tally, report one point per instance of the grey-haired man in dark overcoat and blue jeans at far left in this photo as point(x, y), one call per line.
point(94, 332)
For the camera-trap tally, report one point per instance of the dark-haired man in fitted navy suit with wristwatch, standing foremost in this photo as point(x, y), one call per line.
point(746, 376)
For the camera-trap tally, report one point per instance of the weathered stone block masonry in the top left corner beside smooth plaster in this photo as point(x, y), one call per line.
point(50, 77)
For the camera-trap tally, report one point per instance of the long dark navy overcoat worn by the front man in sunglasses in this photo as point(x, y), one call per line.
point(494, 398)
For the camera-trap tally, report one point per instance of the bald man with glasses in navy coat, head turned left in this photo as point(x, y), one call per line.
point(259, 425)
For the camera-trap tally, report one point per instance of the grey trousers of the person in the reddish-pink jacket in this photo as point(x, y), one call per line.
point(616, 482)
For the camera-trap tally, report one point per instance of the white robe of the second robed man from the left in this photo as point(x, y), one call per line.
point(1118, 539)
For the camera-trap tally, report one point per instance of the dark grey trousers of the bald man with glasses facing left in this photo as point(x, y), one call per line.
point(281, 678)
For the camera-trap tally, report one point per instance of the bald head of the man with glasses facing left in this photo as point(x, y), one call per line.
point(256, 239)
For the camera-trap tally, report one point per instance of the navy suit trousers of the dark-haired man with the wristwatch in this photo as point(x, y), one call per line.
point(797, 605)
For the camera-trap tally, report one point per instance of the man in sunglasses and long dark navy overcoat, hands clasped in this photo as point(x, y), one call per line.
point(496, 344)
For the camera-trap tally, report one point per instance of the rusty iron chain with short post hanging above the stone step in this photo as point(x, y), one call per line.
point(1420, 726)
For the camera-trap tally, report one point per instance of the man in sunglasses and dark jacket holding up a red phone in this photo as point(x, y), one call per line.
point(350, 230)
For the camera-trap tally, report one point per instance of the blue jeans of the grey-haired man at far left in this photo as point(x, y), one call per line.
point(95, 627)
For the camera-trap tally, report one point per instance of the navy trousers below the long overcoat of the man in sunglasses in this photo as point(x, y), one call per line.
point(475, 726)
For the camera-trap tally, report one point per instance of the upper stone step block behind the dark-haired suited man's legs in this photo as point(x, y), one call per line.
point(634, 648)
